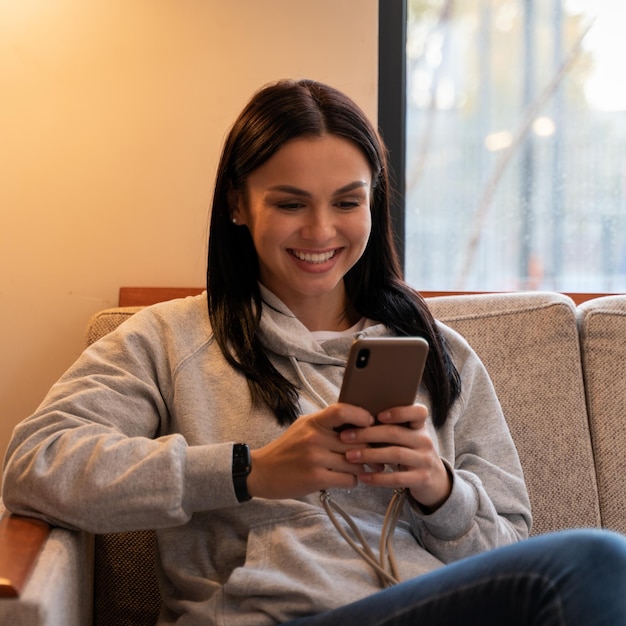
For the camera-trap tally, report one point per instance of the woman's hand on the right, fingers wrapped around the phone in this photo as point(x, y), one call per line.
point(405, 444)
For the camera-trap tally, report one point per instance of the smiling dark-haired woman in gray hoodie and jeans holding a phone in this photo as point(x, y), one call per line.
point(141, 432)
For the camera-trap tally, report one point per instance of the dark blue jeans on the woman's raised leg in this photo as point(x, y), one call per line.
point(575, 577)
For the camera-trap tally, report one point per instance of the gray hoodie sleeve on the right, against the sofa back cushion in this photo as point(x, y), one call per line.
point(488, 506)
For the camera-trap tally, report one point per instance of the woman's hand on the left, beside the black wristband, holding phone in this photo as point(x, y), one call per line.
point(309, 456)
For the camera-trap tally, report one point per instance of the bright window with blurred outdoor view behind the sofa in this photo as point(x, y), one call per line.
point(515, 144)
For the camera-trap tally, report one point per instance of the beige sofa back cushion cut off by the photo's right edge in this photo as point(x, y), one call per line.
point(602, 327)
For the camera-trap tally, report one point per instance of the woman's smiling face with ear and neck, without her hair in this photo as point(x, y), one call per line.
point(308, 211)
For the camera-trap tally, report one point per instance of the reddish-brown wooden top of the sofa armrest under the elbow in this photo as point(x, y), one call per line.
point(21, 541)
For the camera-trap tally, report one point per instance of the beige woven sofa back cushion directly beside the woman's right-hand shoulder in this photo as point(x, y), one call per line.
point(529, 345)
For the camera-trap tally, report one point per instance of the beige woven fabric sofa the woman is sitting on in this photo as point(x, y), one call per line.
point(560, 373)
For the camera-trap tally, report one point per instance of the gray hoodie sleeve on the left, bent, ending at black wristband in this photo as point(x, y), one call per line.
point(98, 454)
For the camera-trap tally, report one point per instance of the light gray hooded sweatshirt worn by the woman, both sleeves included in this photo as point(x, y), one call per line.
point(139, 433)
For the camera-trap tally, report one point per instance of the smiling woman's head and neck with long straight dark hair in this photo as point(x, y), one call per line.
point(343, 147)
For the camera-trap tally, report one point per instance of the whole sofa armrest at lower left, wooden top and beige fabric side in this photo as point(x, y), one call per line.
point(48, 572)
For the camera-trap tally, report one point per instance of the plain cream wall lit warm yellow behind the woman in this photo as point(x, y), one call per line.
point(112, 115)
